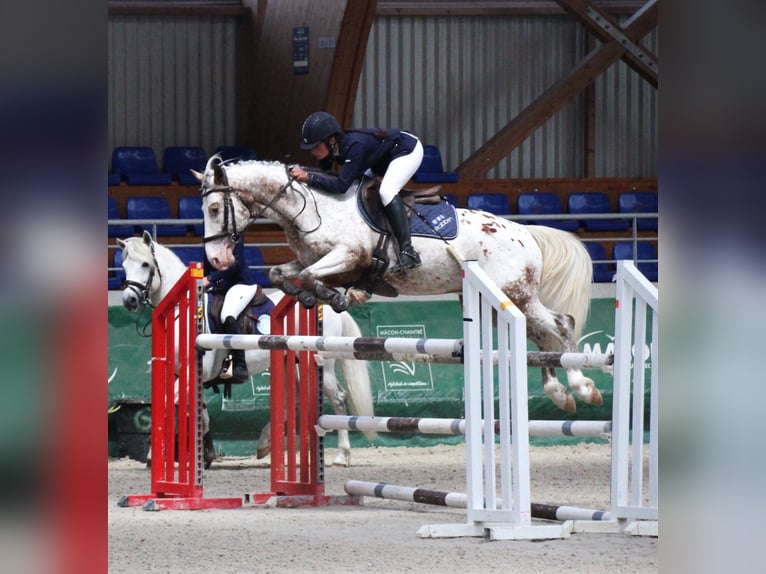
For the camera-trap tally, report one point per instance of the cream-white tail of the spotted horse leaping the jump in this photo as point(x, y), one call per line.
point(565, 282)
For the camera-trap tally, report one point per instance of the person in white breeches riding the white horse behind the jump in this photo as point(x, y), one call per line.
point(238, 285)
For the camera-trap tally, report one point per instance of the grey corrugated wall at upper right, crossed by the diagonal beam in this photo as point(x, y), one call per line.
point(456, 81)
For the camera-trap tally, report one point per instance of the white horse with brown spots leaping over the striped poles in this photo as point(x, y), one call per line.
point(546, 272)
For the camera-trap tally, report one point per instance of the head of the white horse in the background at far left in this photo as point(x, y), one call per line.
point(143, 279)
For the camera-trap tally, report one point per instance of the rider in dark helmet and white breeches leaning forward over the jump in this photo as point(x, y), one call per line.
point(393, 154)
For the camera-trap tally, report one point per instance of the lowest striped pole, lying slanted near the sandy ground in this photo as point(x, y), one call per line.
point(459, 500)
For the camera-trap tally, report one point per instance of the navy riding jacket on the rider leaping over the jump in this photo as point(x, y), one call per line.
point(360, 150)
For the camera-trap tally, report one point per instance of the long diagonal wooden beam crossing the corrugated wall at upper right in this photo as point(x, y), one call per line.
point(554, 98)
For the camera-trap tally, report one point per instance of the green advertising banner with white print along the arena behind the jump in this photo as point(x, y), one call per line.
point(400, 388)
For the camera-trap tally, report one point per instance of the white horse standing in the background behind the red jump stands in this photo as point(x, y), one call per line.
point(151, 270)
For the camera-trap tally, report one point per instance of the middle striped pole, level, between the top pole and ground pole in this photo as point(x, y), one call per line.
point(540, 428)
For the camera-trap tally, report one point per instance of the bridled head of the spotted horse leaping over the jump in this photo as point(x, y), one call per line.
point(225, 213)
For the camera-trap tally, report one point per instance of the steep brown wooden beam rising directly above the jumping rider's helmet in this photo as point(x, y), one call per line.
point(350, 48)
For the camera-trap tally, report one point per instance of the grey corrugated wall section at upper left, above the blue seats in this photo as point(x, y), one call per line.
point(172, 81)
